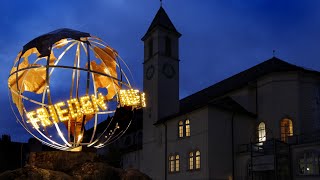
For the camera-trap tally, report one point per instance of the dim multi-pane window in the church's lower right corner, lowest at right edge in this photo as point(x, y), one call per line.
point(309, 163)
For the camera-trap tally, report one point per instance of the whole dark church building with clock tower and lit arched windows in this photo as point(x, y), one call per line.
point(262, 123)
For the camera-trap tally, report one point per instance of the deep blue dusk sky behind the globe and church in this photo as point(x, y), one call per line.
point(219, 37)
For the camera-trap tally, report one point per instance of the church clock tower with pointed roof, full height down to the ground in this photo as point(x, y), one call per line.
point(161, 86)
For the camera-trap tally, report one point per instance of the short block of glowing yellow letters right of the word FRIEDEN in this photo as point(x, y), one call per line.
point(132, 97)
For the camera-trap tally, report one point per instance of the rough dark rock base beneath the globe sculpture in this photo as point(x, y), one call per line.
point(70, 165)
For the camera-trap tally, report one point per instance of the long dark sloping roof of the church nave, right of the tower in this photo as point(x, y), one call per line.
point(206, 95)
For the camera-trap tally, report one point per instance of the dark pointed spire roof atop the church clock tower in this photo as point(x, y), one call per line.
point(161, 20)
